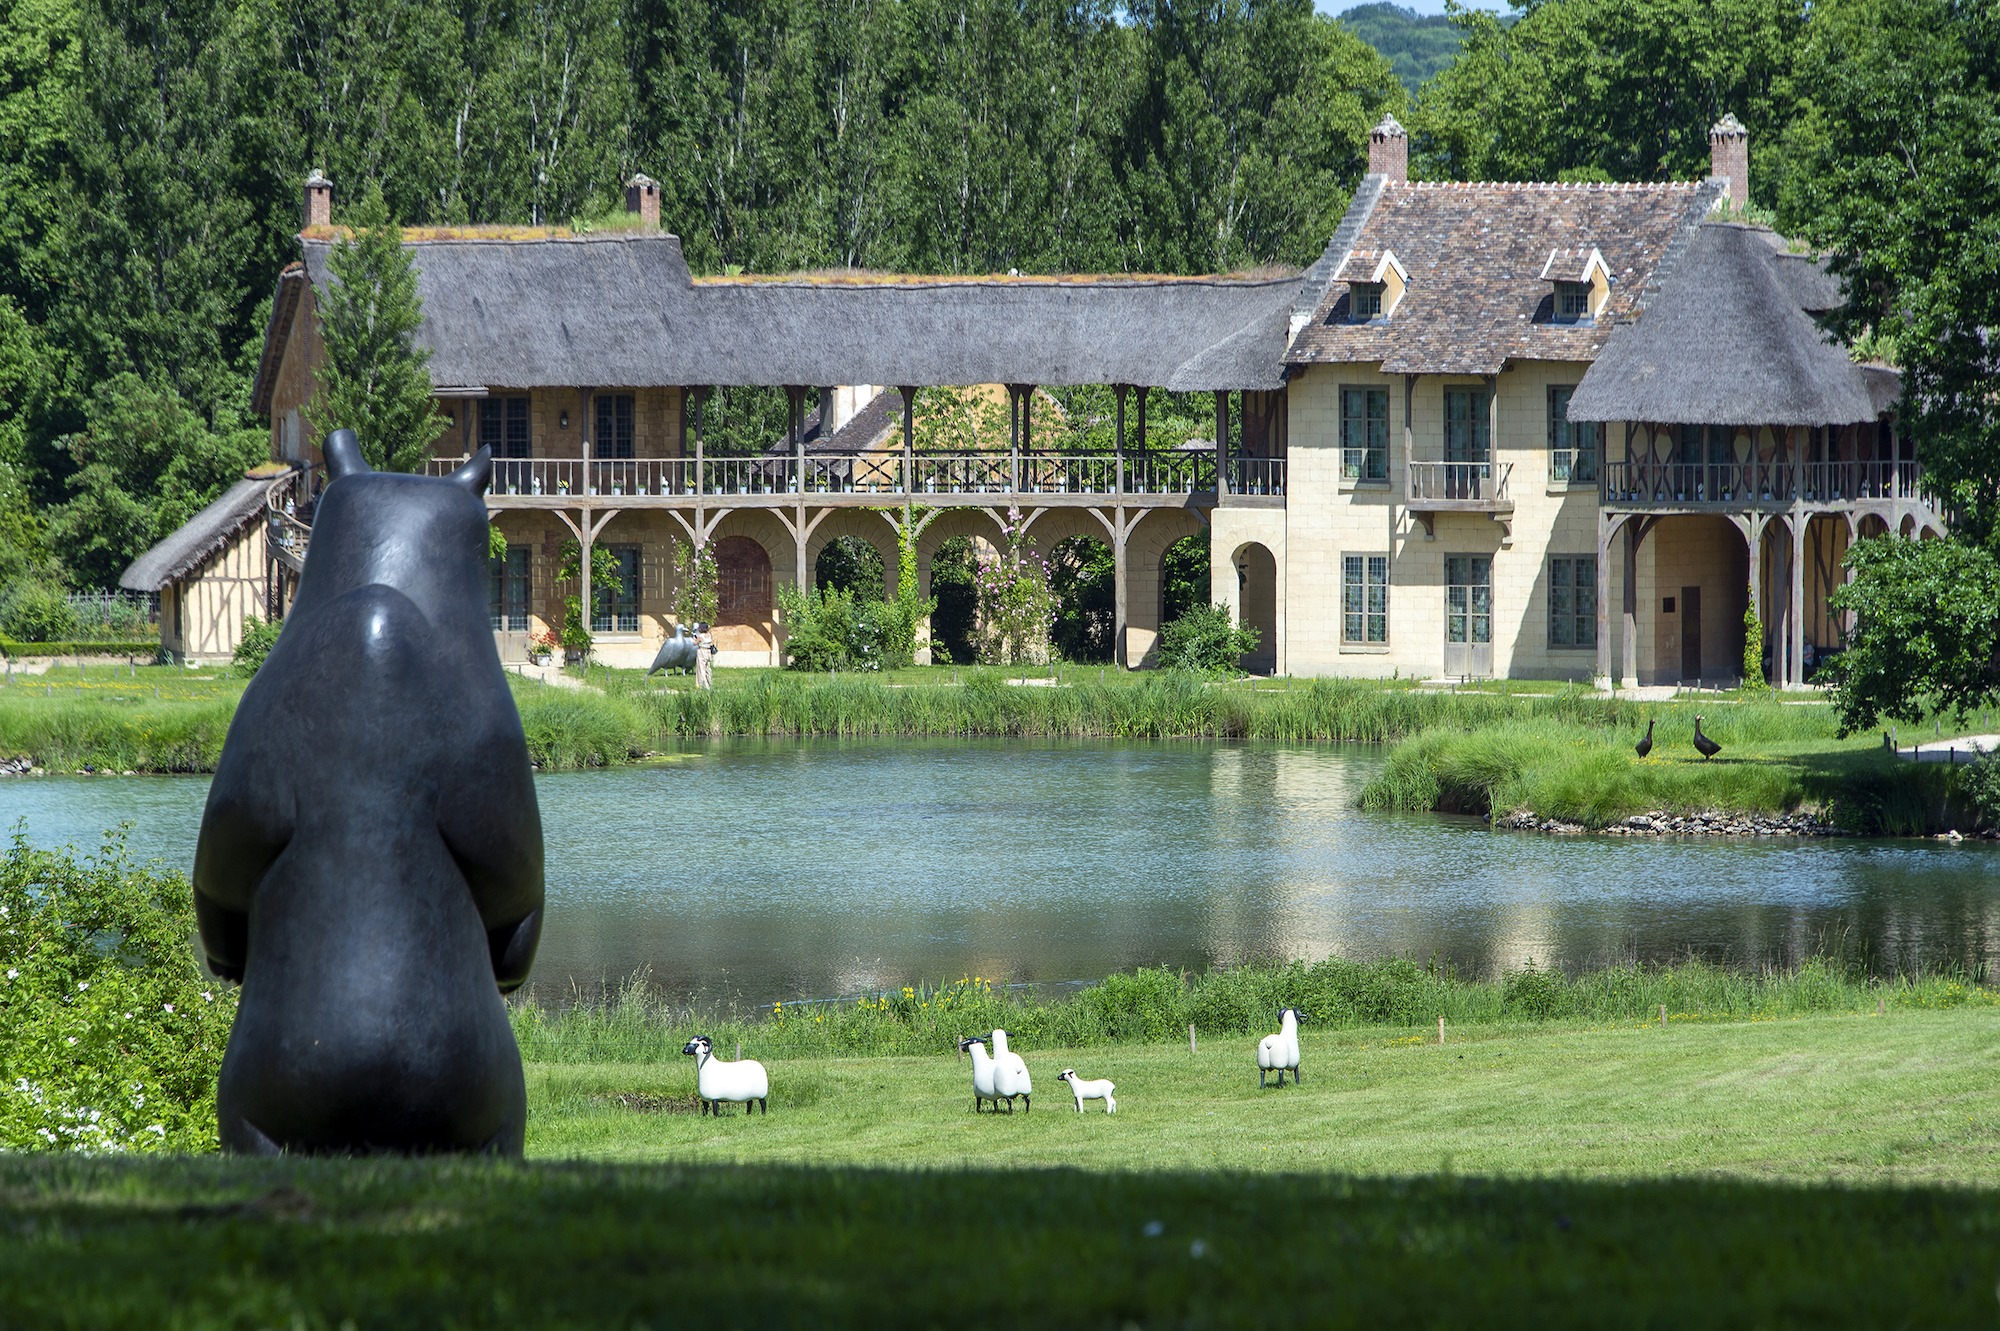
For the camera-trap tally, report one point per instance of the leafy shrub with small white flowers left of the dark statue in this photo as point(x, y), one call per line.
point(111, 1036)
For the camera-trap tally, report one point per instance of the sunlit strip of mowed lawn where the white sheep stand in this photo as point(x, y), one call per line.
point(1859, 1098)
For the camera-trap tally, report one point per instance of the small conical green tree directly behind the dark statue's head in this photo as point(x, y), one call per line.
point(373, 379)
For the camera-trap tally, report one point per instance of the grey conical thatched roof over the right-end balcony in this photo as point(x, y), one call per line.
point(1727, 343)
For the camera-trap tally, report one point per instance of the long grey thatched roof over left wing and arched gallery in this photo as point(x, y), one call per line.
point(619, 311)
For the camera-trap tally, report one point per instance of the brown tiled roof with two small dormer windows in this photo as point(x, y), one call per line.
point(1477, 253)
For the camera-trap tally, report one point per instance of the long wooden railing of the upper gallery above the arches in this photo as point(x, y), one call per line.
point(877, 473)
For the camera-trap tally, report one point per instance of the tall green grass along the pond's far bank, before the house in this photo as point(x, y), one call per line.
point(1553, 758)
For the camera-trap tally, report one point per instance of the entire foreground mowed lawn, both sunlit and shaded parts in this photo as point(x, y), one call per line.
point(1819, 1172)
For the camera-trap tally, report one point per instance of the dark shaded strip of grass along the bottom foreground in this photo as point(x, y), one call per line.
point(319, 1244)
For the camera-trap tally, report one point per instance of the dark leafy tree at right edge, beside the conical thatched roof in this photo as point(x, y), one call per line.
point(1899, 177)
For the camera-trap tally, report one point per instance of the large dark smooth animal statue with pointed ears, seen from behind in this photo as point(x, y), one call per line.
point(371, 856)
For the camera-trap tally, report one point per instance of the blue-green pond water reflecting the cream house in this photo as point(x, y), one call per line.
point(749, 870)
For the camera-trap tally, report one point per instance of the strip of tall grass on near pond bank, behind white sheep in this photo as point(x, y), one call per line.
point(1151, 1006)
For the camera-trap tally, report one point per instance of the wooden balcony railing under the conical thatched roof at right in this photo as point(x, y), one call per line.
point(1755, 485)
